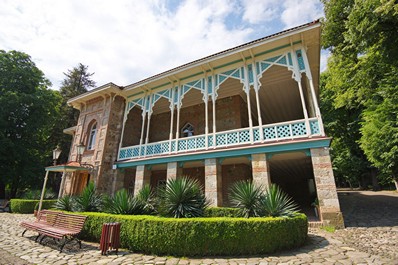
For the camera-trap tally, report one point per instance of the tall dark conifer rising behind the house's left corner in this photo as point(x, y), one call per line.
point(77, 81)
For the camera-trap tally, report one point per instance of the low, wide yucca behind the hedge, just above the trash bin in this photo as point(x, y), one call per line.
point(122, 203)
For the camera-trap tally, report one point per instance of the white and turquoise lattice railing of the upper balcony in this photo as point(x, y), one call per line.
point(271, 132)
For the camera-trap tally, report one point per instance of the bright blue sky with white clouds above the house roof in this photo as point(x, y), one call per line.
point(125, 41)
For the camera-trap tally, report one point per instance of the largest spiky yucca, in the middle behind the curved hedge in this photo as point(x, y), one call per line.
point(182, 198)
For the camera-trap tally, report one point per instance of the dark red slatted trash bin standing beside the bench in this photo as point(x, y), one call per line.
point(110, 238)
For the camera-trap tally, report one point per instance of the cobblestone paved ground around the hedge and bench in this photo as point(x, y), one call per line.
point(371, 237)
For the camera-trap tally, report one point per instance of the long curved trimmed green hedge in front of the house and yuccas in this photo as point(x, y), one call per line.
point(202, 236)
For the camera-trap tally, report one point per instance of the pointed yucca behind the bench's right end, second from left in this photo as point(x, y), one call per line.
point(89, 200)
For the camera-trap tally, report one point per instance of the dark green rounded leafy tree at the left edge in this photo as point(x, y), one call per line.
point(28, 112)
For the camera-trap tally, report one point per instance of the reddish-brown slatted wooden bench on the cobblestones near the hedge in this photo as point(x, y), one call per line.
point(57, 225)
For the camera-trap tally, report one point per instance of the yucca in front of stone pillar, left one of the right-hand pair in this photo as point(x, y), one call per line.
point(245, 196)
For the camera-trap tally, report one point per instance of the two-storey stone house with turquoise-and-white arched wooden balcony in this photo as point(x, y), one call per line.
point(247, 113)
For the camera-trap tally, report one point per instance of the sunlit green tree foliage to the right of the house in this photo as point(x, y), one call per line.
point(360, 84)
